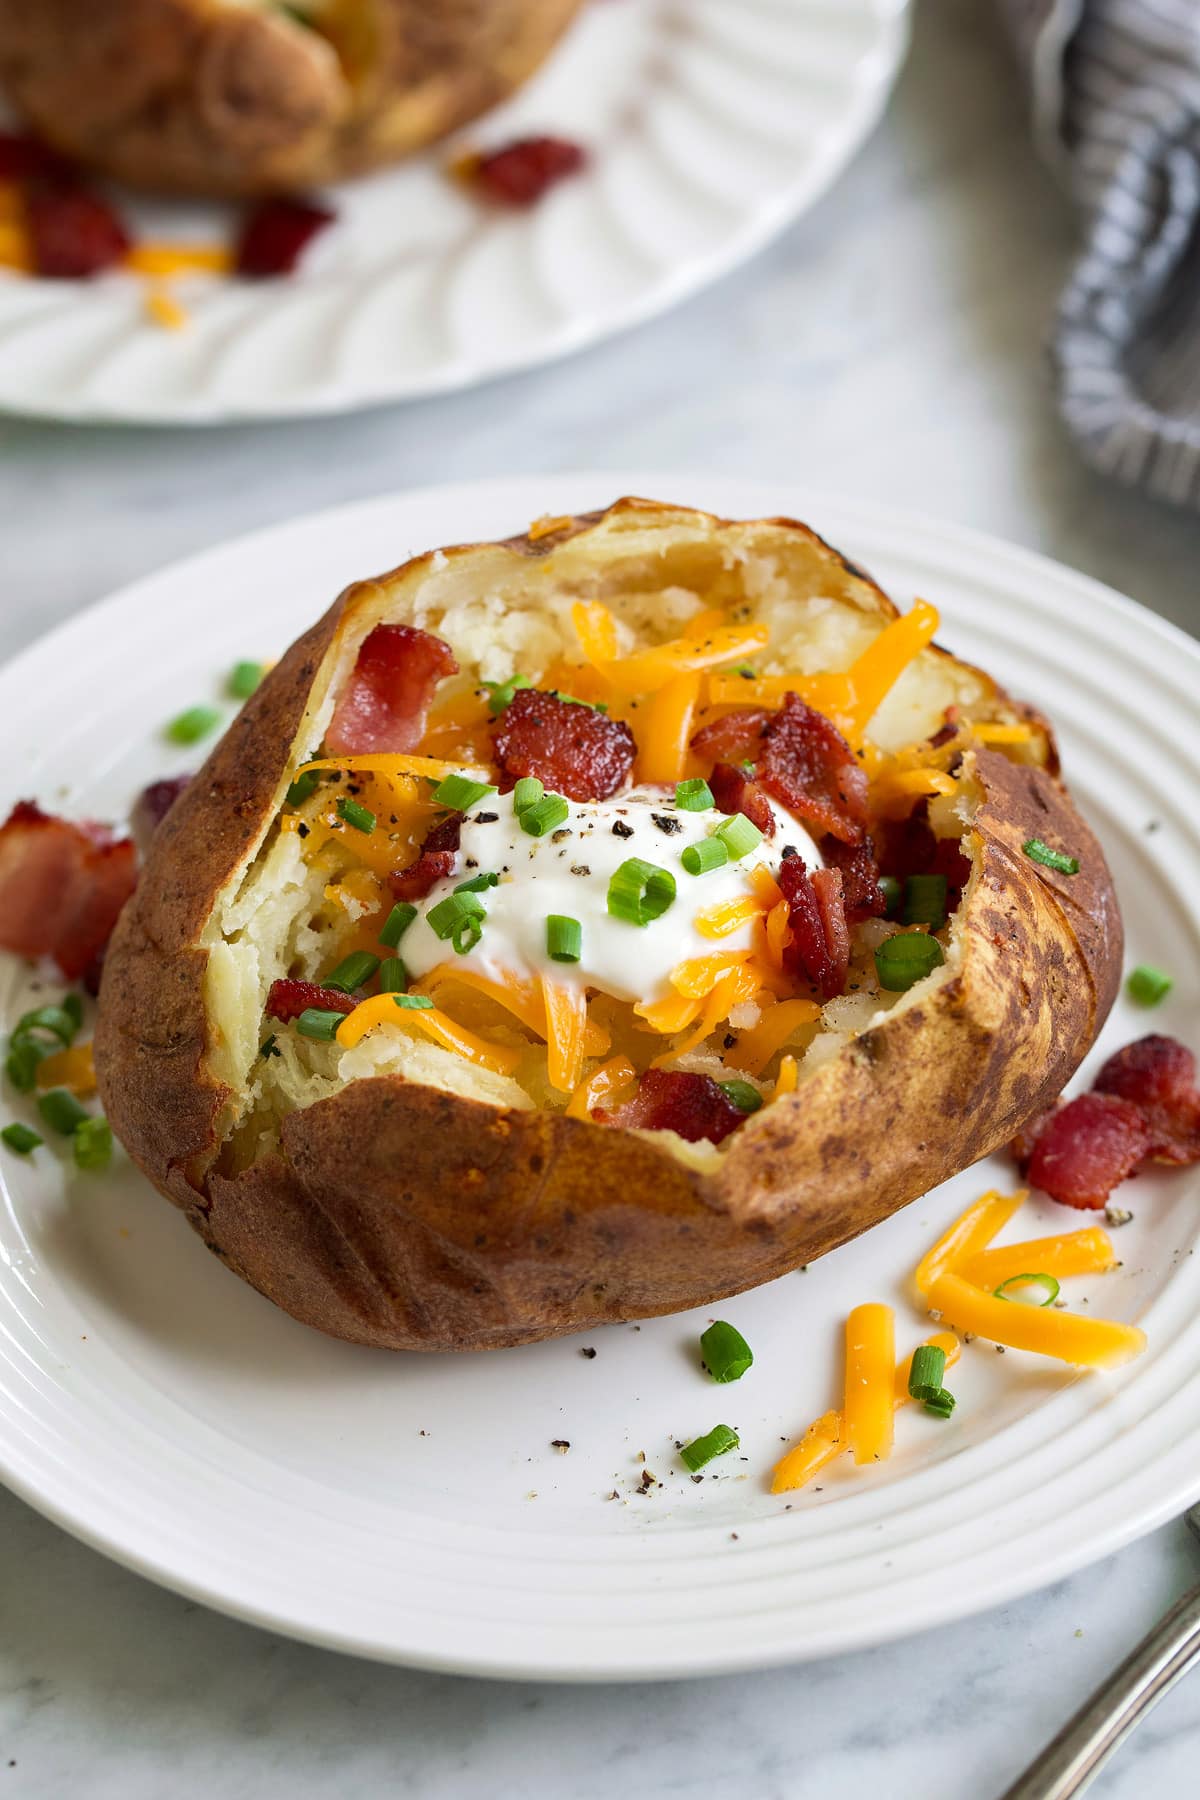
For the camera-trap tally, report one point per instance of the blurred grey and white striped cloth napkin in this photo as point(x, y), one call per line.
point(1116, 105)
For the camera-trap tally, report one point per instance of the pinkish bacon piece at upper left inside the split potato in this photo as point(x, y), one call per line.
point(390, 694)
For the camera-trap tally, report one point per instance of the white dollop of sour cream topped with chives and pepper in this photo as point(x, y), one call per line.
point(568, 874)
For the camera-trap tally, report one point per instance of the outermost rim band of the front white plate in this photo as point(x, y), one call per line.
point(846, 514)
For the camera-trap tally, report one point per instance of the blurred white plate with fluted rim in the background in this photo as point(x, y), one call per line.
point(712, 125)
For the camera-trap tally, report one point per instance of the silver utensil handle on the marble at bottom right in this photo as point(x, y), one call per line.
point(1084, 1747)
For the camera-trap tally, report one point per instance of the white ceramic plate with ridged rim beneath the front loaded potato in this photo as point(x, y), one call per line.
point(413, 1507)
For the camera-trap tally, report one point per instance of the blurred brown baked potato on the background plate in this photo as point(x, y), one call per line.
point(237, 98)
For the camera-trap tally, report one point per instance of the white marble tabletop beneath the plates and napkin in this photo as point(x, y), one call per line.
point(891, 345)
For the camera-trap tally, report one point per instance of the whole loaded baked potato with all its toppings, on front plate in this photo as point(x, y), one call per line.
point(670, 1072)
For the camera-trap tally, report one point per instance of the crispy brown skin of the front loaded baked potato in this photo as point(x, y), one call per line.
point(413, 1219)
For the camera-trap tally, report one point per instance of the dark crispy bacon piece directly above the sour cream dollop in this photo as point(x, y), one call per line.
point(571, 748)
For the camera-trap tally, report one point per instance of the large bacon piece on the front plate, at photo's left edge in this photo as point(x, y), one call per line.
point(62, 886)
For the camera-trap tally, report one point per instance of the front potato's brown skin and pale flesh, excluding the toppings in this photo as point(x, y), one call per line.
point(397, 1196)
